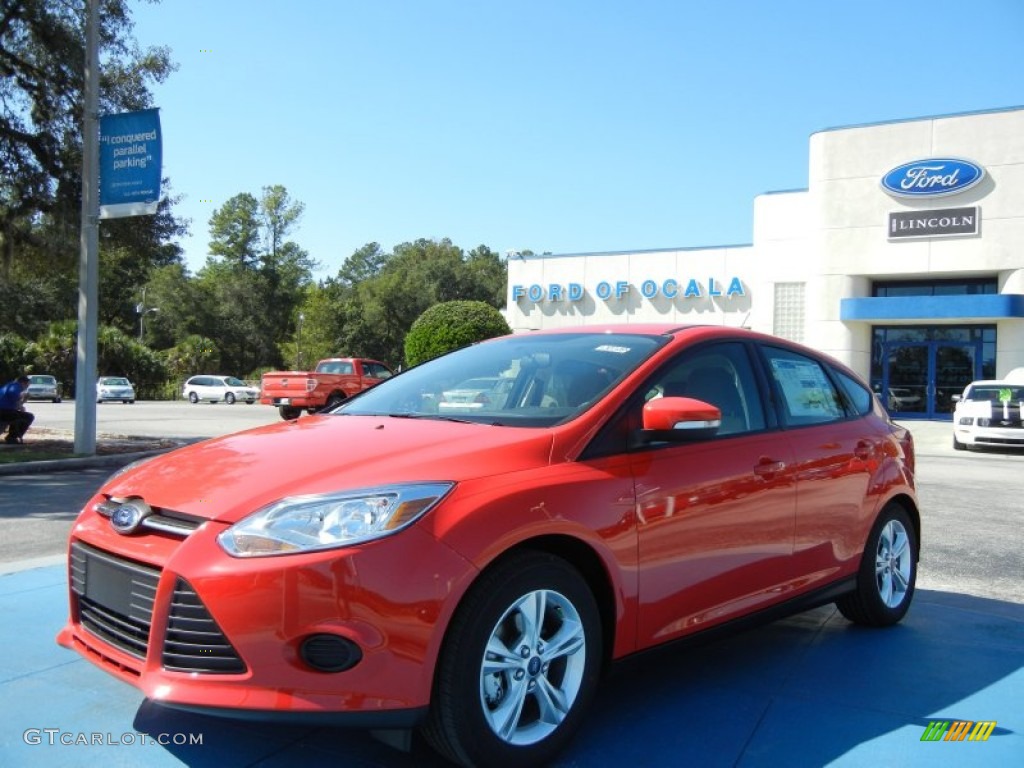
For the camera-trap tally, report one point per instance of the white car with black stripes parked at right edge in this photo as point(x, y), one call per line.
point(989, 414)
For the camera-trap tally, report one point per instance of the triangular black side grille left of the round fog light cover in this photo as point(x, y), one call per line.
point(195, 643)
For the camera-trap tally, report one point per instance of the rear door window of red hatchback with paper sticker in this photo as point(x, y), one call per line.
point(807, 394)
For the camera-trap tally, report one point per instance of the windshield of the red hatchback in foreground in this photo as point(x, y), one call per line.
point(534, 380)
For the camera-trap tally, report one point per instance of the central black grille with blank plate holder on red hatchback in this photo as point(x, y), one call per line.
point(115, 598)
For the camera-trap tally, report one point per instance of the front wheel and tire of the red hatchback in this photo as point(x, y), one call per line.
point(520, 666)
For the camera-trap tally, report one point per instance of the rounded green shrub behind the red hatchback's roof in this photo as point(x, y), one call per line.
point(450, 326)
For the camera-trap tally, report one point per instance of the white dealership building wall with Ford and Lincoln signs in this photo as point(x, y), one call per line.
point(830, 241)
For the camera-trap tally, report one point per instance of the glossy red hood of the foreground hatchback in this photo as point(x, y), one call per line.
point(230, 478)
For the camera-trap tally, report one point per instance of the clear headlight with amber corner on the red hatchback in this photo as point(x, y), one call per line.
point(306, 524)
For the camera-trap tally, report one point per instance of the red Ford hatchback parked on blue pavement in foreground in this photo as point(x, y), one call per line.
point(472, 572)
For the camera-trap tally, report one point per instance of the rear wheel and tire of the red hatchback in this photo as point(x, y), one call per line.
point(888, 572)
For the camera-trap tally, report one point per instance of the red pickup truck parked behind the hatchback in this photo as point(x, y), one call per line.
point(333, 381)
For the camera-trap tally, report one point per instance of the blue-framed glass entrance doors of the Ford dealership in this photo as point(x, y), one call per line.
point(920, 379)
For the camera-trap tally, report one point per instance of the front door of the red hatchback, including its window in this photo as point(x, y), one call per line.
point(716, 517)
